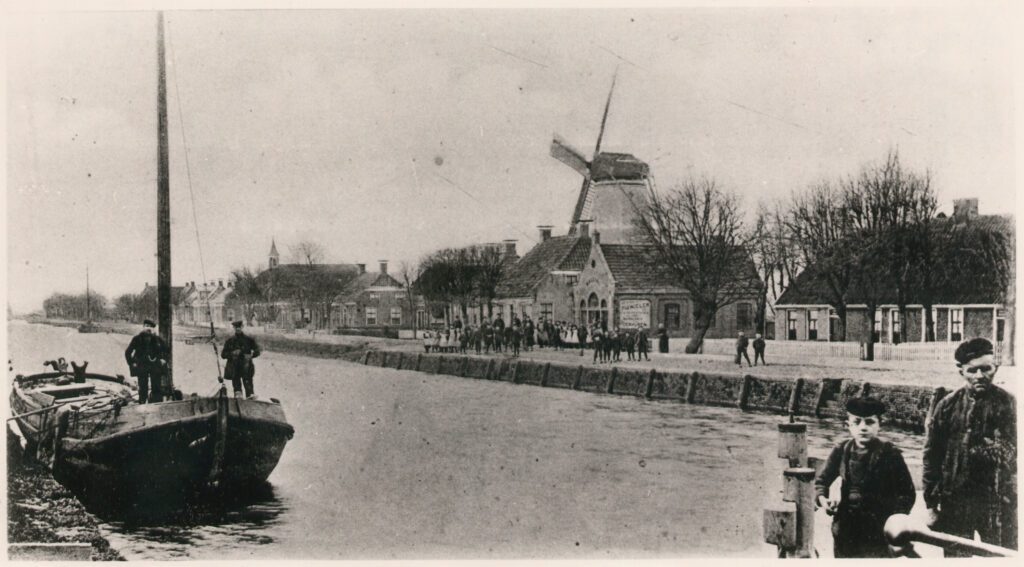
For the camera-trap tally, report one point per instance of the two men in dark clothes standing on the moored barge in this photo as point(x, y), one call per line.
point(149, 358)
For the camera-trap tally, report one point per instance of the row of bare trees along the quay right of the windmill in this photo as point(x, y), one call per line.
point(873, 238)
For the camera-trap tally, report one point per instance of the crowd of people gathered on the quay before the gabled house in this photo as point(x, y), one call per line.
point(497, 336)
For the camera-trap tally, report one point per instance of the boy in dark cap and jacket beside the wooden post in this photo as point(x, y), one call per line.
point(876, 485)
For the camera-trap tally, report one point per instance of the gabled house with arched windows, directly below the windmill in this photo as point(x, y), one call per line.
point(622, 287)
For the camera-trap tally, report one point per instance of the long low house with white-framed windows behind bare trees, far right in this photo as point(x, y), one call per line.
point(803, 313)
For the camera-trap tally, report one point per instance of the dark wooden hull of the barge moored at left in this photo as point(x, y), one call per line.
point(159, 454)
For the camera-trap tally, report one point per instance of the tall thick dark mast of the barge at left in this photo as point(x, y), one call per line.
point(163, 209)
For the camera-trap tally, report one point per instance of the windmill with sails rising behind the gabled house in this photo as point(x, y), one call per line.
point(615, 186)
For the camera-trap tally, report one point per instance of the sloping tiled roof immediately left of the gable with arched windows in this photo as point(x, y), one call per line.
point(558, 253)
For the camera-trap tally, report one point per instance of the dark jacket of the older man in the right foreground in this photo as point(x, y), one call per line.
point(961, 453)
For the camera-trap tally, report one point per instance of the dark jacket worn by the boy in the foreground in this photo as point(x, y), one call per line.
point(888, 488)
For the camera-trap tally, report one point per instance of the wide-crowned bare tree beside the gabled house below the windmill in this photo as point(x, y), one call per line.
point(697, 234)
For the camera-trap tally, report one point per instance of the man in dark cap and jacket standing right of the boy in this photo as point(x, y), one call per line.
point(971, 455)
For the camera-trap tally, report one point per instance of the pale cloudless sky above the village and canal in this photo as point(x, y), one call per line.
point(385, 136)
